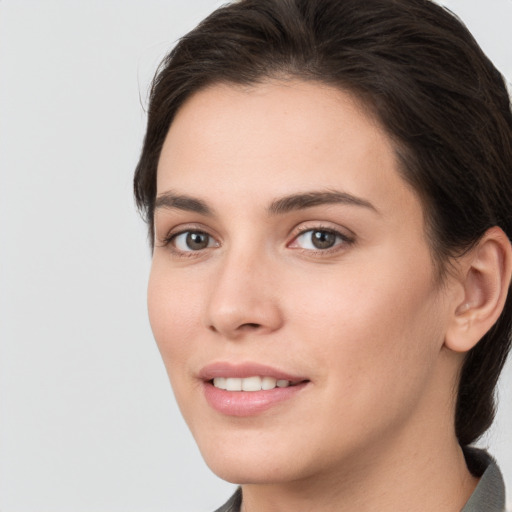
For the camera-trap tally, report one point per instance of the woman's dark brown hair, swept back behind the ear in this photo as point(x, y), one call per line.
point(421, 73)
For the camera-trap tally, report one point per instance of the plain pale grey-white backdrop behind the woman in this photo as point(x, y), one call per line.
point(88, 422)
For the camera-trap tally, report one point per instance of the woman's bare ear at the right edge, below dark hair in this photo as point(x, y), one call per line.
point(485, 279)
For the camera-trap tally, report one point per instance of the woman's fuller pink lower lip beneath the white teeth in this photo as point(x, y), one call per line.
point(248, 403)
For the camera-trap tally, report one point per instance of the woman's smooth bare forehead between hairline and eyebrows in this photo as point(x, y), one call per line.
point(277, 138)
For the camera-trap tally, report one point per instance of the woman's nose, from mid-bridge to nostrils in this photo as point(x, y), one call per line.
point(244, 297)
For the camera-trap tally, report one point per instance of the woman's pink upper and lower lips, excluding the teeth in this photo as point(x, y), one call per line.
point(247, 403)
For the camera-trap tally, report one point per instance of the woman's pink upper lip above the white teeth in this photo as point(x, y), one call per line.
point(243, 370)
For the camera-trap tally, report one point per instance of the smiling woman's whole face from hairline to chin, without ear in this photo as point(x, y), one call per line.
point(291, 261)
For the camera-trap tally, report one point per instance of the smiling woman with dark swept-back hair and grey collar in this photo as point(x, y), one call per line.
point(327, 188)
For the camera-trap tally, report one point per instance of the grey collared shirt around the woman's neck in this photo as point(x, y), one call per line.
point(489, 495)
